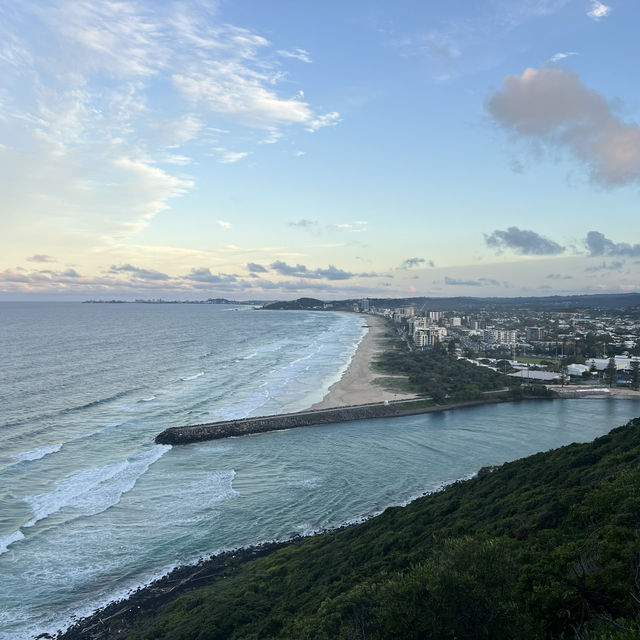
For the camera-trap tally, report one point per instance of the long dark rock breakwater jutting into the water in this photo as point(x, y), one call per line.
point(247, 426)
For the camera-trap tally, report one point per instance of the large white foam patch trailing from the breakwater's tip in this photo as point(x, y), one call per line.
point(96, 489)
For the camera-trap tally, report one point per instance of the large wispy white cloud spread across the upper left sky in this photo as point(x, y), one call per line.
point(105, 156)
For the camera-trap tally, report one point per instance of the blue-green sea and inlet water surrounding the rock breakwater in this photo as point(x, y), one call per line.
point(90, 507)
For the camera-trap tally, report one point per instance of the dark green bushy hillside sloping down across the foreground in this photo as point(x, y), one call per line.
point(543, 547)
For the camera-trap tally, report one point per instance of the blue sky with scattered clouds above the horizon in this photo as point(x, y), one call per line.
point(272, 150)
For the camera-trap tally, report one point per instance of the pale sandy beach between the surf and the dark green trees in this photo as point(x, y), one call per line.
point(356, 385)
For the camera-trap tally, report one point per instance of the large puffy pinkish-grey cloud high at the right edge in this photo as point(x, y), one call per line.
point(552, 108)
